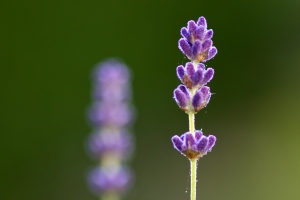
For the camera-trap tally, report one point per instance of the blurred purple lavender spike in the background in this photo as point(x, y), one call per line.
point(111, 143)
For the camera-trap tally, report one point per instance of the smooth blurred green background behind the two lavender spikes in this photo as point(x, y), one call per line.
point(48, 49)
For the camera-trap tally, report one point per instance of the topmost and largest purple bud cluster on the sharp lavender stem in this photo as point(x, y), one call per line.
point(196, 43)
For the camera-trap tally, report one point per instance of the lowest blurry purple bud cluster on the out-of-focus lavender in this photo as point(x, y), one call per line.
point(103, 180)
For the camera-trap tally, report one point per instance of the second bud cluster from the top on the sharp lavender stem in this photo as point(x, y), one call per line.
point(194, 76)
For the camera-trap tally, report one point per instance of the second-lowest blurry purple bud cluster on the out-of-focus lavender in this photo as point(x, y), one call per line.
point(111, 141)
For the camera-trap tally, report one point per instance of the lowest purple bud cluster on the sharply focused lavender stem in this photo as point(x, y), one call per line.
point(195, 145)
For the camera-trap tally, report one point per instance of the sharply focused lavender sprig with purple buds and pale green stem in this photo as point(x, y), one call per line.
point(194, 94)
